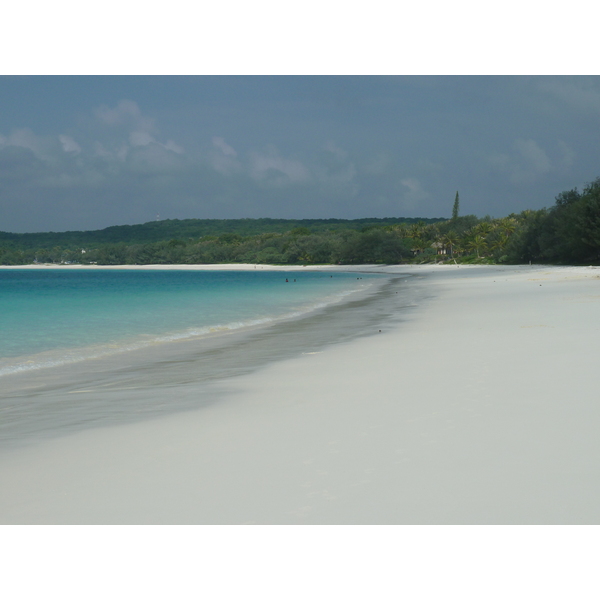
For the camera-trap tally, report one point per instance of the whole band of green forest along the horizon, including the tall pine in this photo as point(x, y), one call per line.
point(566, 233)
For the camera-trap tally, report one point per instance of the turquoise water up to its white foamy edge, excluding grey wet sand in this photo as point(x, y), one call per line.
point(50, 317)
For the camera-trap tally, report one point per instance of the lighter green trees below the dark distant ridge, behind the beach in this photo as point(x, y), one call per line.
point(464, 239)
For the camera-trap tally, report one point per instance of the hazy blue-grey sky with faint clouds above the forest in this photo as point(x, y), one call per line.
point(87, 152)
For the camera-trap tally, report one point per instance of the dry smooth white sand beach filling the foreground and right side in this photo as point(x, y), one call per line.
point(480, 407)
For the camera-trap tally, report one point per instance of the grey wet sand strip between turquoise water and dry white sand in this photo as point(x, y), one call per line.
point(157, 379)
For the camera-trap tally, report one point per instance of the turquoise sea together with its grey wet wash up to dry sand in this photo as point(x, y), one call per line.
point(90, 347)
